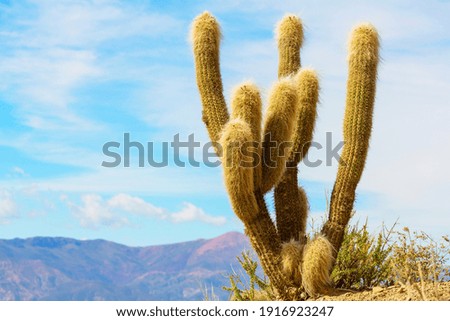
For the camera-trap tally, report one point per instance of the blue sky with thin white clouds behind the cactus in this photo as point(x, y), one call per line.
point(78, 74)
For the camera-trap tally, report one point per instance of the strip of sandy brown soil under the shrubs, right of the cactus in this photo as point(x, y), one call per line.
point(414, 292)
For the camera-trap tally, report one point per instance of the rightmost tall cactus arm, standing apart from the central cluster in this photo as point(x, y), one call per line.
point(361, 85)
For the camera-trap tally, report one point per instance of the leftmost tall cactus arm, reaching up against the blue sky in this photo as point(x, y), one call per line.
point(205, 34)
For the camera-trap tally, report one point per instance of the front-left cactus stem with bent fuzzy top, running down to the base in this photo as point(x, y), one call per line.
point(249, 205)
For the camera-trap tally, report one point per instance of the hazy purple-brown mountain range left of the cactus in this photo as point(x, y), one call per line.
point(55, 268)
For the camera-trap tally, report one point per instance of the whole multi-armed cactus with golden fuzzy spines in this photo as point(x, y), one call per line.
point(262, 154)
